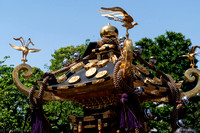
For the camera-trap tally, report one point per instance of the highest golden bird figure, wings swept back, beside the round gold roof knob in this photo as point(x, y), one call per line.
point(115, 12)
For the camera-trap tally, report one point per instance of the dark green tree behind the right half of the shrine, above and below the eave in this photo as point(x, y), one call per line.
point(168, 49)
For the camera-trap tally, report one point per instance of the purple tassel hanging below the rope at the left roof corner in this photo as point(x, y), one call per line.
point(39, 122)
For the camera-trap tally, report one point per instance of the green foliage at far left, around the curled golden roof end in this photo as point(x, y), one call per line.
point(13, 103)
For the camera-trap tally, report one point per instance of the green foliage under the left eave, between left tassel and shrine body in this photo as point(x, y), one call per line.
point(58, 114)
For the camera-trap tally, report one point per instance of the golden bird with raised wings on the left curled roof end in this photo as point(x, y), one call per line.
point(25, 48)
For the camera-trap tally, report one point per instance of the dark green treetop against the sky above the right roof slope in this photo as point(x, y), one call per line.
point(167, 49)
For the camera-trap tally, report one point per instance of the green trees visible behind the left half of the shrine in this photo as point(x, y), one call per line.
point(14, 105)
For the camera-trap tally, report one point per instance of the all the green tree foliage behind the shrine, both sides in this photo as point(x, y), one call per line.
point(166, 48)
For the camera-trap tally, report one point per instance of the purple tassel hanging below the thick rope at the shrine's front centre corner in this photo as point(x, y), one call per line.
point(128, 118)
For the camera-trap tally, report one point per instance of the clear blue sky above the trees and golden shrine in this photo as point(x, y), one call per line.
point(52, 24)
